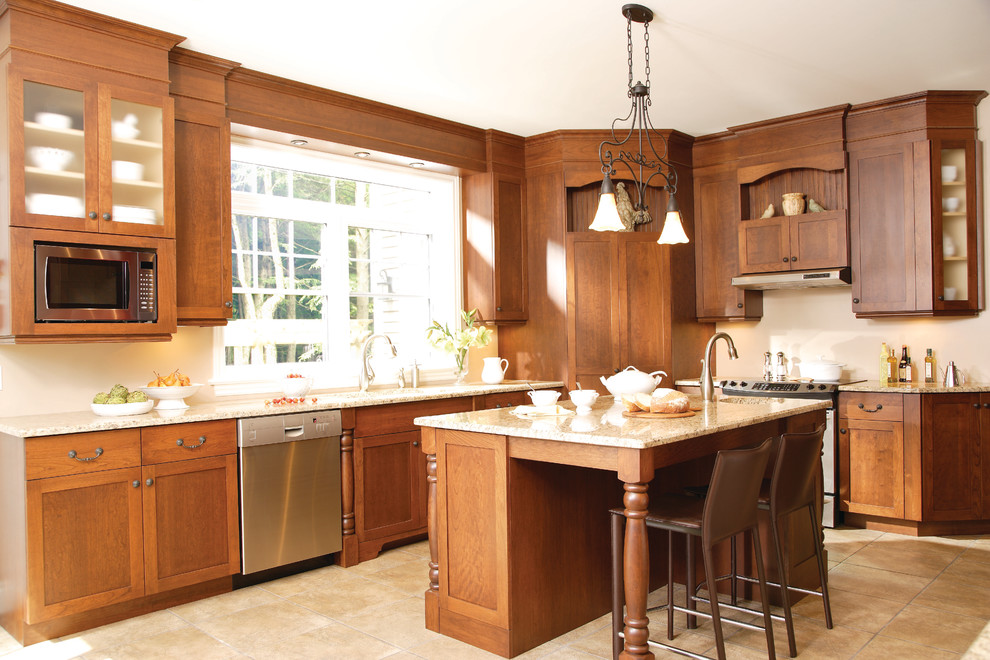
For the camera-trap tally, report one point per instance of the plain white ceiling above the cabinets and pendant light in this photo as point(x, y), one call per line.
point(530, 66)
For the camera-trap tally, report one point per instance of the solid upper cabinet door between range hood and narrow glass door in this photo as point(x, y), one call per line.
point(882, 221)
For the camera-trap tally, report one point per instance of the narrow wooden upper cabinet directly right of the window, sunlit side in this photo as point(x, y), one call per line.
point(495, 234)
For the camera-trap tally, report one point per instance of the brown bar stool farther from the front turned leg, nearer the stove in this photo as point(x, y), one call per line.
point(792, 487)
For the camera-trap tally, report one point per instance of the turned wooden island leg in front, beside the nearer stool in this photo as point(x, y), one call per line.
point(636, 577)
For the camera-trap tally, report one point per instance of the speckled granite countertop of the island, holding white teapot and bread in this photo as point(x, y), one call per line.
point(605, 424)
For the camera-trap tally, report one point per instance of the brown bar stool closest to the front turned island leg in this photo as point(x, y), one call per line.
point(729, 509)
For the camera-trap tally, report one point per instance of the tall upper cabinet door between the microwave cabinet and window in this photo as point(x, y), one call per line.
point(202, 220)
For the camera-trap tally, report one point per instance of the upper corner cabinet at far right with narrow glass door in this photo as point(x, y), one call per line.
point(912, 256)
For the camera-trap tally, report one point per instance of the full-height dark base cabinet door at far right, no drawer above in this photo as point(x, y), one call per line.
point(951, 457)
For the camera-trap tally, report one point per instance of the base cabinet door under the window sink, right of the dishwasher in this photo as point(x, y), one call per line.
point(389, 485)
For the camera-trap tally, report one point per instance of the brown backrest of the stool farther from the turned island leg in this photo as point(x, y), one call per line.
point(794, 473)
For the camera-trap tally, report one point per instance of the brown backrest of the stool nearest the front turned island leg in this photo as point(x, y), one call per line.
point(731, 503)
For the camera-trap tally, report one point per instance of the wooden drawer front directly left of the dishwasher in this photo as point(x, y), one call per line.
point(181, 442)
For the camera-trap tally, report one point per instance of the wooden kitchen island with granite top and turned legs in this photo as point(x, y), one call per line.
point(518, 510)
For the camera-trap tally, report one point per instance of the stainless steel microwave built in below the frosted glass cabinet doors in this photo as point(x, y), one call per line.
point(83, 283)
